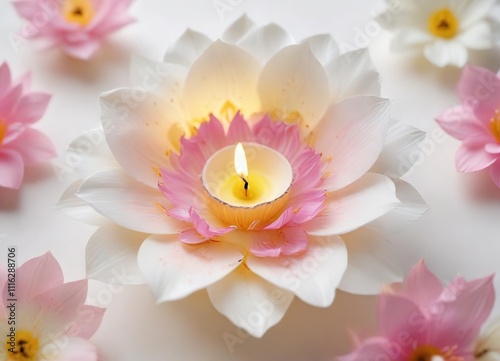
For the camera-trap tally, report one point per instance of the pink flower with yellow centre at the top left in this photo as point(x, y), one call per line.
point(77, 26)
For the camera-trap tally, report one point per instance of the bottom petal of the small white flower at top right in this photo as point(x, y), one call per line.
point(442, 53)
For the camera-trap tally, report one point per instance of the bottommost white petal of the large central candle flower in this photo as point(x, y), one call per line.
point(249, 302)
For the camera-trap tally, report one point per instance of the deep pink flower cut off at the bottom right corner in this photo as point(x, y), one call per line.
point(422, 320)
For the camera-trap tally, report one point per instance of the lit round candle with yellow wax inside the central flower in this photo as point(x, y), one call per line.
point(247, 191)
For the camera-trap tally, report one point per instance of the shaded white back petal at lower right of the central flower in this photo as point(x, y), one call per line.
point(371, 262)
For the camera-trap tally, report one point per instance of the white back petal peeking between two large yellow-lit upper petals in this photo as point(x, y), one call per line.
point(263, 42)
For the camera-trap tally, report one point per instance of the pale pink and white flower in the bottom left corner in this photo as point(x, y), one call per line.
point(43, 318)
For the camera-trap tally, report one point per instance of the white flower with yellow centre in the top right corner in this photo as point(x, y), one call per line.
point(443, 29)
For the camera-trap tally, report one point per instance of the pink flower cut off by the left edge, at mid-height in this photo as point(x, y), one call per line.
point(20, 144)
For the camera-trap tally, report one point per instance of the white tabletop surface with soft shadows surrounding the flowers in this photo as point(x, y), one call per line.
point(460, 234)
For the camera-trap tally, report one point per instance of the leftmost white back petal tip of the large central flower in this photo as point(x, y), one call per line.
point(77, 208)
